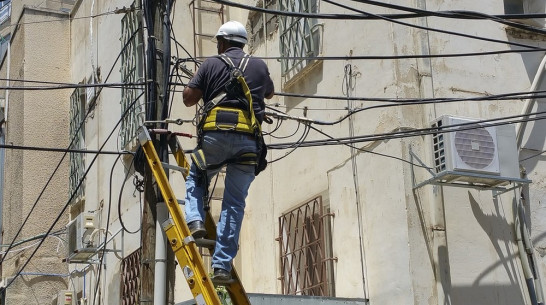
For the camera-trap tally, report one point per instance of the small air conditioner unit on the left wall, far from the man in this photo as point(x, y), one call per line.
point(80, 245)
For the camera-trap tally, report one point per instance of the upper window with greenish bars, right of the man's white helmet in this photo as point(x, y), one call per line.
point(299, 37)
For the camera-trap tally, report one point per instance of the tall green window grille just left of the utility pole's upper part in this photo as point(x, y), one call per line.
point(132, 71)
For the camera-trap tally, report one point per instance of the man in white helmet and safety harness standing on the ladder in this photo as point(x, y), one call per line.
point(230, 135)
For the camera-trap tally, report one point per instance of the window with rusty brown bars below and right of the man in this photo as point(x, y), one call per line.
point(306, 252)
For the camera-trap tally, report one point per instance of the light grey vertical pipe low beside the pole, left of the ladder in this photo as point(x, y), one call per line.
point(160, 280)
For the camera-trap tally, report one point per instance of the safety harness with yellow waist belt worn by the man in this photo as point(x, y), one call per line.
point(218, 117)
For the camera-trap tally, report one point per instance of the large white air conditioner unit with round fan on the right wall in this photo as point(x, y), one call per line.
point(473, 153)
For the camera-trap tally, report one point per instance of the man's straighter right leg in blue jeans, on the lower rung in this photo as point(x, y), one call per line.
point(238, 180)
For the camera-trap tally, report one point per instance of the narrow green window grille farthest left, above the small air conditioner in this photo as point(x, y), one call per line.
point(77, 136)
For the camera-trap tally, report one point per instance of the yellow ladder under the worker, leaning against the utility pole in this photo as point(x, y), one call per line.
point(178, 234)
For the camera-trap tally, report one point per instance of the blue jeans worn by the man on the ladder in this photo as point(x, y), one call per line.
point(217, 147)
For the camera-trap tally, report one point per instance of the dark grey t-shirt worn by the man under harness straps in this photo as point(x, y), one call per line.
point(214, 73)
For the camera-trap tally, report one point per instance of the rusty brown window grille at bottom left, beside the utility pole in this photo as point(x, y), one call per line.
point(130, 278)
